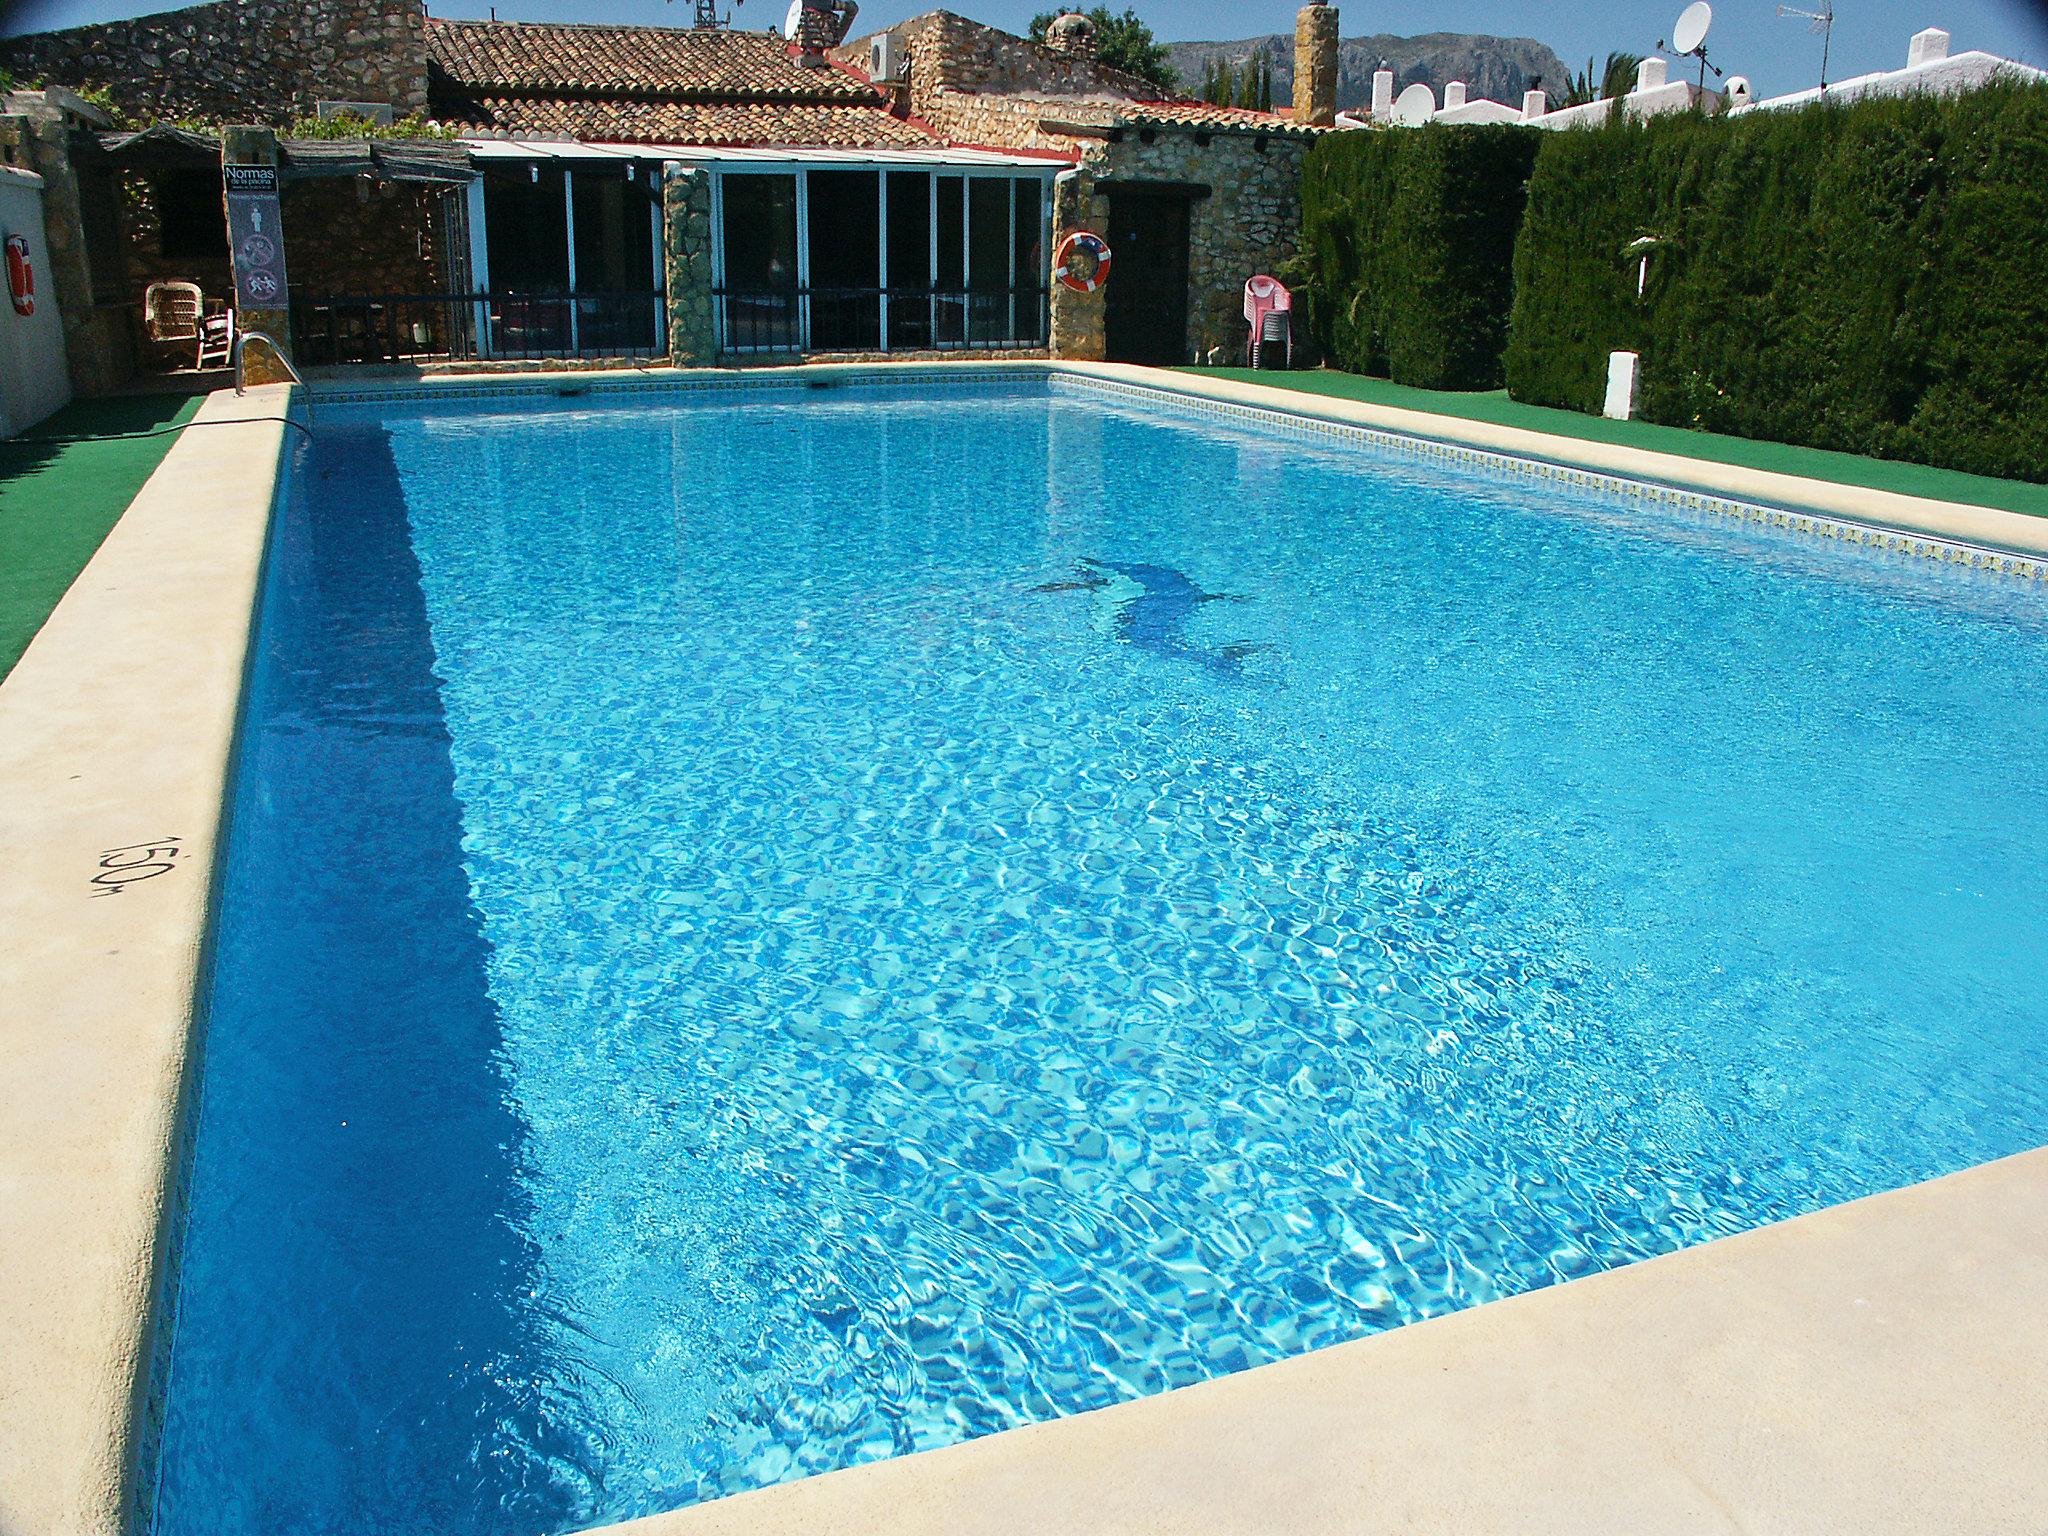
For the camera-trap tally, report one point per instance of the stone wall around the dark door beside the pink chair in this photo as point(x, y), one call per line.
point(1248, 224)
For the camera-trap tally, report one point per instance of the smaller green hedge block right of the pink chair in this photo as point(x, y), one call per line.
point(1406, 257)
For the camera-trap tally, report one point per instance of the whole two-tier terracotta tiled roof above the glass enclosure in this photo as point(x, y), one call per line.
point(652, 85)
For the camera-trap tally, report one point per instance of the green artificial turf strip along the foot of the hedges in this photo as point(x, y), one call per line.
point(1781, 458)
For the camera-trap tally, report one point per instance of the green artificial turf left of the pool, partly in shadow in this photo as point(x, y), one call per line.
point(58, 501)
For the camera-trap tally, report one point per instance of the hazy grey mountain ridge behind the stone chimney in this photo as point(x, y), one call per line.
point(1498, 69)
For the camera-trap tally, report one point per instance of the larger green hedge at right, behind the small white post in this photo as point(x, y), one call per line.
point(1867, 278)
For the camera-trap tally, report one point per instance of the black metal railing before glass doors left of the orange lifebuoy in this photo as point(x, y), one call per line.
point(853, 321)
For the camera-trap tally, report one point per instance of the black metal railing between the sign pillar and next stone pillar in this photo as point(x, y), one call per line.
point(433, 327)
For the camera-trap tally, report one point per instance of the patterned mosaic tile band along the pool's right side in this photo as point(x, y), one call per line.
point(1641, 490)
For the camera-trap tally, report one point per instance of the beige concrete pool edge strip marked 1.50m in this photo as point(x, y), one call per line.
point(116, 732)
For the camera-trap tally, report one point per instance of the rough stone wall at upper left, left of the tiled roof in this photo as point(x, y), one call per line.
point(241, 60)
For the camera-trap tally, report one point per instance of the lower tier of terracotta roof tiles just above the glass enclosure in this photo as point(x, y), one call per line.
point(769, 126)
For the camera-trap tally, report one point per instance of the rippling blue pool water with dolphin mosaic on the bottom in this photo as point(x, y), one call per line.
point(765, 933)
